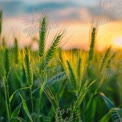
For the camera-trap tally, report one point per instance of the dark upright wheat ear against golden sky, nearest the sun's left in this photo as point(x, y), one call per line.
point(92, 44)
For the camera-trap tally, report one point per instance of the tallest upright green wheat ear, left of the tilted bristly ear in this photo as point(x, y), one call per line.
point(42, 34)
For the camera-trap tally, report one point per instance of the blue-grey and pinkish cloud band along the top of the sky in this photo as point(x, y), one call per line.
point(71, 10)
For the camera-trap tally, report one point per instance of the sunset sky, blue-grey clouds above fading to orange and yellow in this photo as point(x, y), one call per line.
point(21, 18)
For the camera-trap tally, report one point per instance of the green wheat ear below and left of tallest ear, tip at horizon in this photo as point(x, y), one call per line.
point(27, 67)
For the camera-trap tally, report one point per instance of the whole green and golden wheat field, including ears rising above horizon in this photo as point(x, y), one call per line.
point(57, 85)
